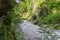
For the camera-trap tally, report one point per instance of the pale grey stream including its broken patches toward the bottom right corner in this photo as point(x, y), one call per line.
point(31, 31)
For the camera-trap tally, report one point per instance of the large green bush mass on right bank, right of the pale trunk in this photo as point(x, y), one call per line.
point(49, 13)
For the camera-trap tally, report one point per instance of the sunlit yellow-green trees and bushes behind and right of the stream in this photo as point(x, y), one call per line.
point(42, 12)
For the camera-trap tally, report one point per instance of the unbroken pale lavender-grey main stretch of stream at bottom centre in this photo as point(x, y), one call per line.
point(30, 30)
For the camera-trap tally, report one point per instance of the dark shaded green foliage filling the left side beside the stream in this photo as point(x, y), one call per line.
point(11, 11)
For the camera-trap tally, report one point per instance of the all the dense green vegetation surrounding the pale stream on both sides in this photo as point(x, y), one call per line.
point(41, 12)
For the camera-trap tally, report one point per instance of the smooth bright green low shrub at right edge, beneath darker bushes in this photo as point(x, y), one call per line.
point(53, 19)
